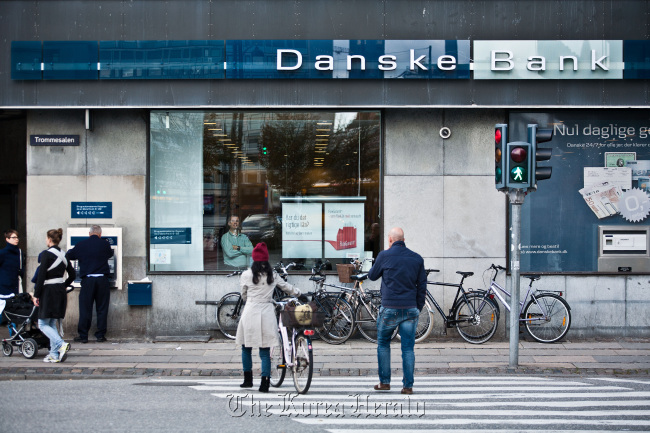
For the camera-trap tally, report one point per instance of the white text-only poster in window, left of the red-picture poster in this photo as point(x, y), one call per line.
point(302, 230)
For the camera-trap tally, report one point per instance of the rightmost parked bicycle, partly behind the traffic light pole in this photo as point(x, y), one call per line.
point(545, 314)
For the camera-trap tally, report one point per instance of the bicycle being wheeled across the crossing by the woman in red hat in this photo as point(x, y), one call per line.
point(294, 353)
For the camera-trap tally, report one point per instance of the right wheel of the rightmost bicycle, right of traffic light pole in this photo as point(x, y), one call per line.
point(553, 316)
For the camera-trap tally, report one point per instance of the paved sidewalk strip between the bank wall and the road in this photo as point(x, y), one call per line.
point(119, 359)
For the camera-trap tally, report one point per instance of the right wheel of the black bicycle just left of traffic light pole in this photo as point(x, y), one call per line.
point(476, 318)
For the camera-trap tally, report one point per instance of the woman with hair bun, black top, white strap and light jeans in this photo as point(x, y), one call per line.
point(50, 294)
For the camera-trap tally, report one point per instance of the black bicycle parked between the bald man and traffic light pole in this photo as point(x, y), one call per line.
point(475, 325)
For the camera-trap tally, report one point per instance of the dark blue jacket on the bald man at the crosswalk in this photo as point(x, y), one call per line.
point(403, 279)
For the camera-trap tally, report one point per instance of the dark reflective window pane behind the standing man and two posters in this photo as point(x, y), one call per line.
point(307, 154)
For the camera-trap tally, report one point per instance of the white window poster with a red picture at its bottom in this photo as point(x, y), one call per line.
point(343, 230)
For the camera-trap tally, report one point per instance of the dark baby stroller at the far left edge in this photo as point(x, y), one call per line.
point(22, 318)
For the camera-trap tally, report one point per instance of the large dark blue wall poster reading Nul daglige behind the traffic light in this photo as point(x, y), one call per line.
point(601, 167)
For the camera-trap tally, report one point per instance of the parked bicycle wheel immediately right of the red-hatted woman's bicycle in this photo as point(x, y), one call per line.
point(339, 320)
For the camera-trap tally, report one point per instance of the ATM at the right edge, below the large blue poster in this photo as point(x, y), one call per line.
point(623, 249)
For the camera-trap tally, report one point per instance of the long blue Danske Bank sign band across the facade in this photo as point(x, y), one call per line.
point(330, 59)
